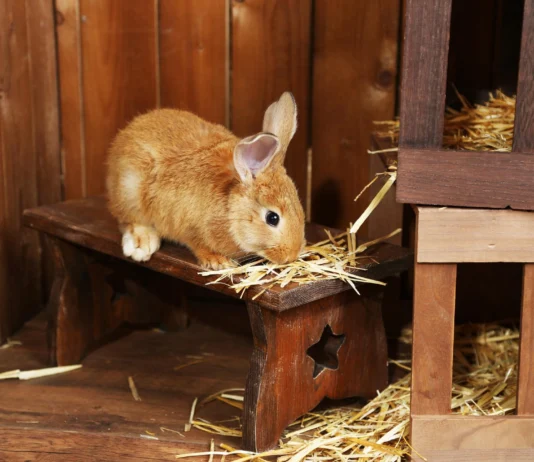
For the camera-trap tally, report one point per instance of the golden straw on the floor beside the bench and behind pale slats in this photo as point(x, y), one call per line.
point(484, 383)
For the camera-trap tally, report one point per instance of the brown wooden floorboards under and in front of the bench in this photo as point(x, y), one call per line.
point(95, 405)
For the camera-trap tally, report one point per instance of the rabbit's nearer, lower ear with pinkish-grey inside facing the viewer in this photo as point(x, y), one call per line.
point(254, 154)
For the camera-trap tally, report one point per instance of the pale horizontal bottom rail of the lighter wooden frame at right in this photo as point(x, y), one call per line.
point(472, 439)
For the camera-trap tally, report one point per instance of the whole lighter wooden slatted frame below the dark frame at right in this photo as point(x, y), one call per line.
point(445, 237)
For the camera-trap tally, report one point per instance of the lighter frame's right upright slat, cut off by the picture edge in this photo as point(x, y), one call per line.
point(525, 388)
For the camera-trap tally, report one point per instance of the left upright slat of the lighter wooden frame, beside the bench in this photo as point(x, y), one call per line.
point(433, 338)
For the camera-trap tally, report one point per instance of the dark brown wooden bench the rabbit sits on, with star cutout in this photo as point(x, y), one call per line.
point(310, 341)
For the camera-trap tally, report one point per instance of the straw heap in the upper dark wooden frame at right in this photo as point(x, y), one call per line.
point(480, 127)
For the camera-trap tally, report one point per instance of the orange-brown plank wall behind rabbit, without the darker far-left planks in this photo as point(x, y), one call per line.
point(227, 61)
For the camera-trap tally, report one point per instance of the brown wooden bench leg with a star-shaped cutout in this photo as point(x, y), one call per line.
point(334, 347)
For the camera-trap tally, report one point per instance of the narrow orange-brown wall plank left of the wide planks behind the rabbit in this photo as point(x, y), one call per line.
point(71, 98)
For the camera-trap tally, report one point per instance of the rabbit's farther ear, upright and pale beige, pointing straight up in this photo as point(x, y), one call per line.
point(280, 119)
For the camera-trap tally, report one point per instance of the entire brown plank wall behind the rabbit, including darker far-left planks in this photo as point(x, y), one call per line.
point(226, 60)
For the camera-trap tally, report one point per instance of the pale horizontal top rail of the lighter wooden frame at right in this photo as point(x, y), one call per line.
point(455, 235)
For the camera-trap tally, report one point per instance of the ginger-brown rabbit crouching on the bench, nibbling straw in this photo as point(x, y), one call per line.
point(174, 176)
